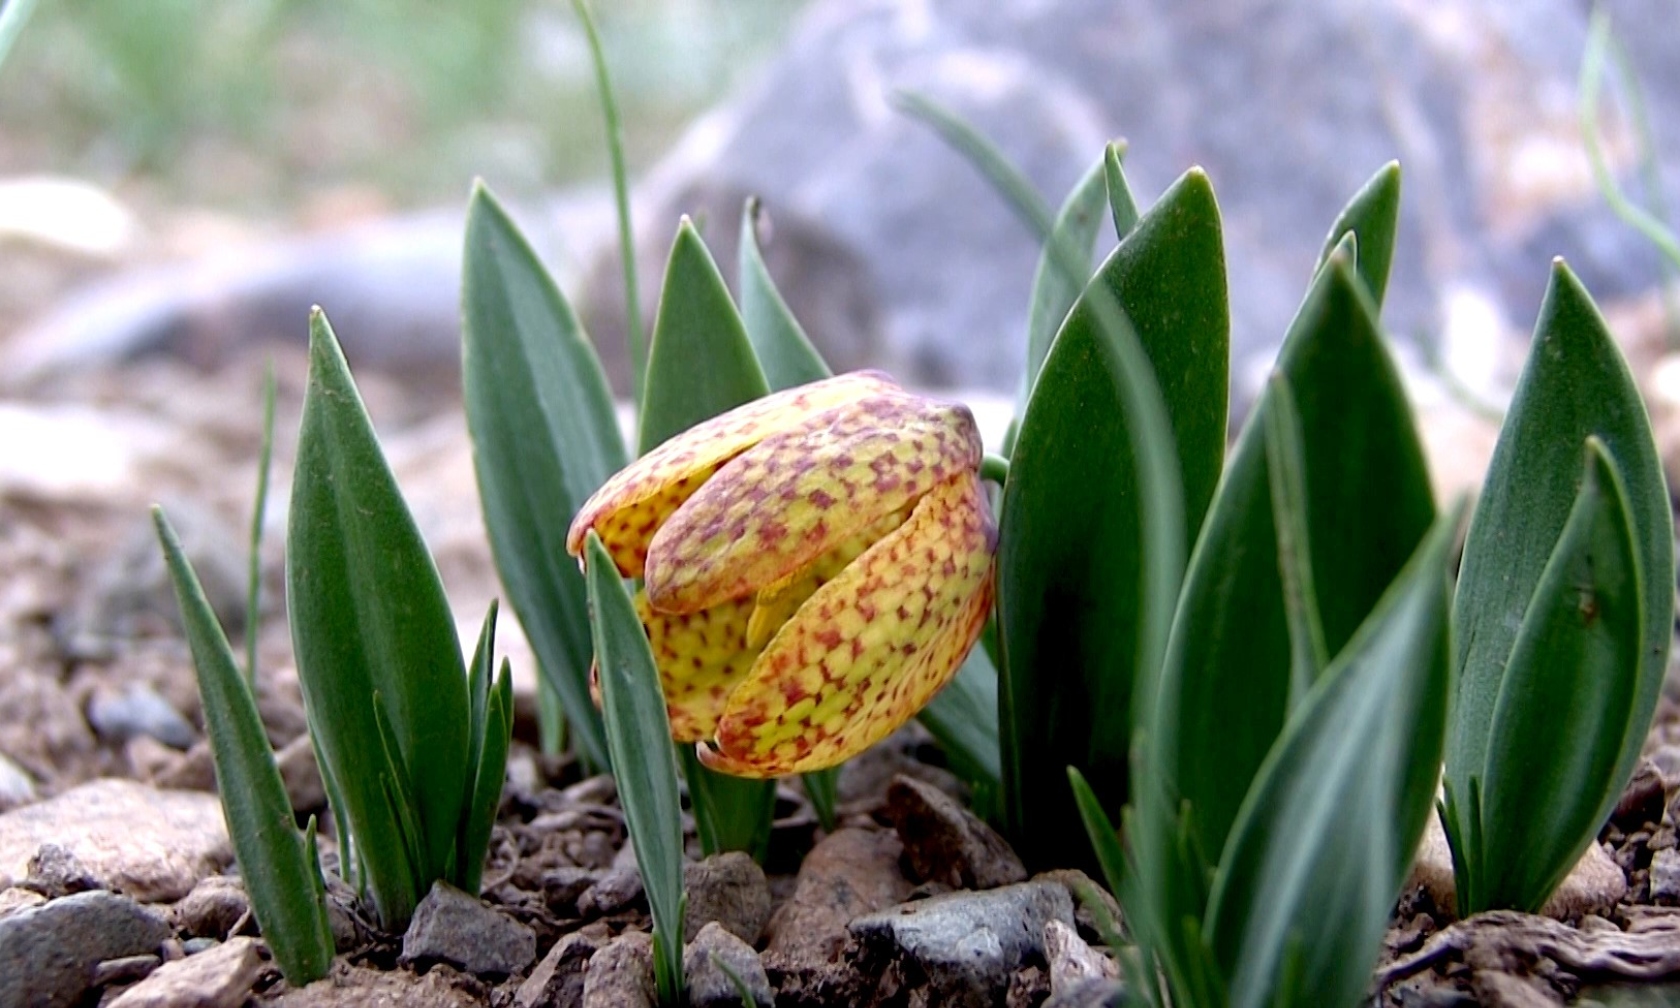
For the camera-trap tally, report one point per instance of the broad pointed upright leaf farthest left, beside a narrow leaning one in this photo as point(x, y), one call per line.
point(370, 621)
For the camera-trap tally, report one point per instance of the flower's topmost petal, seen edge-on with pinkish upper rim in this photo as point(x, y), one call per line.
point(636, 501)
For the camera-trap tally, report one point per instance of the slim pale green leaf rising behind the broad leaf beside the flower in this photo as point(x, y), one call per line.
point(1064, 270)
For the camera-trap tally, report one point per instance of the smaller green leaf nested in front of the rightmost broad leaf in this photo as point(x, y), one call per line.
point(1565, 703)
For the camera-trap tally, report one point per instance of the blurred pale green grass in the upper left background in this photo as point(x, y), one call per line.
point(249, 107)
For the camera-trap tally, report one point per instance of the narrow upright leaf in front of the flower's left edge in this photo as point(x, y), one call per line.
point(639, 735)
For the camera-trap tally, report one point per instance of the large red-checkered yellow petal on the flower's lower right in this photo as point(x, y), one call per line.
point(871, 648)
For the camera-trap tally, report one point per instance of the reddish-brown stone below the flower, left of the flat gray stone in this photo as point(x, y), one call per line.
point(848, 874)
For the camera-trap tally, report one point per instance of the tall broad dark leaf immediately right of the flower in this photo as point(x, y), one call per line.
point(1084, 580)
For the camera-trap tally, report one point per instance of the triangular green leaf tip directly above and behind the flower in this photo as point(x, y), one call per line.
point(701, 362)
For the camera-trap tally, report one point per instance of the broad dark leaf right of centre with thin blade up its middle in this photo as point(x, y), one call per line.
point(1227, 683)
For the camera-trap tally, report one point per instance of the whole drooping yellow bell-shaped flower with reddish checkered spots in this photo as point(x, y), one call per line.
point(817, 565)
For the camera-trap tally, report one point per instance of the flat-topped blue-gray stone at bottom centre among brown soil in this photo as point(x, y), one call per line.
point(967, 943)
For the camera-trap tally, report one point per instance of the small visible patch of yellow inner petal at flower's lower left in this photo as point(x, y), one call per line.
point(701, 659)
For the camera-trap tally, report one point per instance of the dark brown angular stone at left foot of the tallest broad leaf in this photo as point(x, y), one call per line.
point(945, 843)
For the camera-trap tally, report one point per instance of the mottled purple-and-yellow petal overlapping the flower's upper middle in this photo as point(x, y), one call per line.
point(797, 495)
